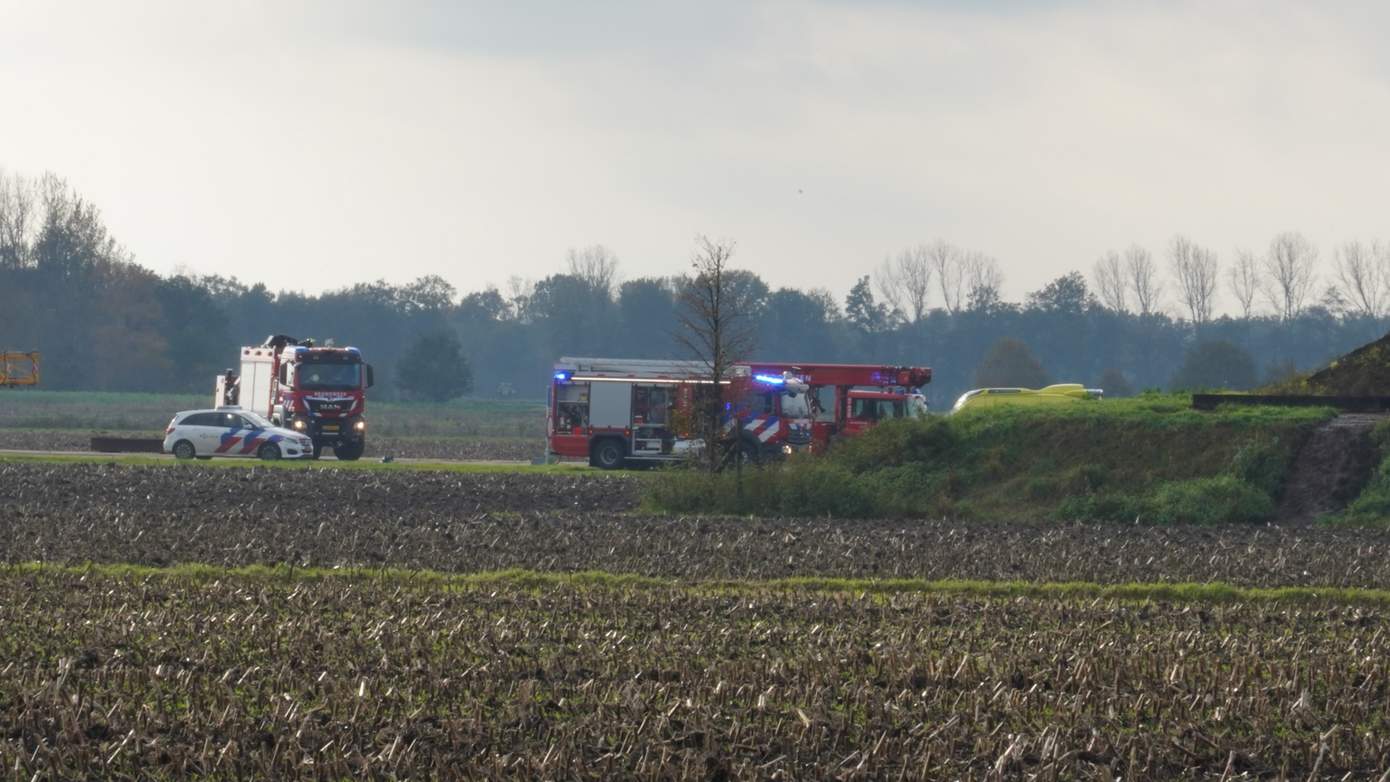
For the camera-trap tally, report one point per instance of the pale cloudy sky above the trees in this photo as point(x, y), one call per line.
point(312, 145)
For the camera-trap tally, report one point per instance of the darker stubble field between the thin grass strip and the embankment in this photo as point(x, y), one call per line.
point(72, 513)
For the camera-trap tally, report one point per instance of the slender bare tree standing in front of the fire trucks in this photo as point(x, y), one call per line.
point(717, 330)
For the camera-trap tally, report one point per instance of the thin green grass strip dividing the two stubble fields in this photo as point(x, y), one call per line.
point(1211, 592)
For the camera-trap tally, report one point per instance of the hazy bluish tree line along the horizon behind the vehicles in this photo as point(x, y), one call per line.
point(1139, 320)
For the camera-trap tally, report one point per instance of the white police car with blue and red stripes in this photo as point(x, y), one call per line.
point(231, 431)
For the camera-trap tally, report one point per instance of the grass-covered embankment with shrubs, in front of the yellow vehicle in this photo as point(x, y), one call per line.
point(1149, 459)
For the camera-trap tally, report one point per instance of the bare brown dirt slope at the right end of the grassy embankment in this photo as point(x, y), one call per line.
point(1331, 469)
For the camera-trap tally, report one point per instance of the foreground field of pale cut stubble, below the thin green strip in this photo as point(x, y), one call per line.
point(243, 677)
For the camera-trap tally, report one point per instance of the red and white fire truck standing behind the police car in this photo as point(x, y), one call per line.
point(318, 391)
